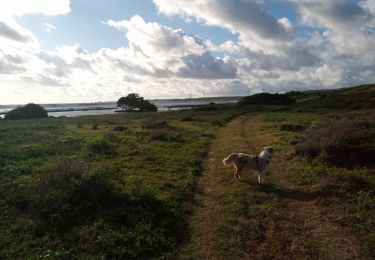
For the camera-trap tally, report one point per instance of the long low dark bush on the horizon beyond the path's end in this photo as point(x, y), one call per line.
point(268, 99)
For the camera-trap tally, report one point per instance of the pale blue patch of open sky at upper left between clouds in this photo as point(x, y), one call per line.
point(84, 25)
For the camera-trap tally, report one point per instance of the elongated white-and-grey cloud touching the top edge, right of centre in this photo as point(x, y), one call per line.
point(239, 16)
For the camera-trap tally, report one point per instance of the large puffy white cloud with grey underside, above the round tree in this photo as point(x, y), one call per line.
point(165, 52)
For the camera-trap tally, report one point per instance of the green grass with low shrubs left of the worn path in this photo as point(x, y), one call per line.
point(116, 186)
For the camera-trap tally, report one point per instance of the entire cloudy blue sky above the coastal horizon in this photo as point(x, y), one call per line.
point(65, 51)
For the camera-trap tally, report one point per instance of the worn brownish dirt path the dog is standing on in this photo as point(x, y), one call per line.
point(243, 220)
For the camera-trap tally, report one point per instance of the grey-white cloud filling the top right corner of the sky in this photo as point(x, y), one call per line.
point(348, 26)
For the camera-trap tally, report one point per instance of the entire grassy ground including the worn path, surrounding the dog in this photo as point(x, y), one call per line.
point(152, 185)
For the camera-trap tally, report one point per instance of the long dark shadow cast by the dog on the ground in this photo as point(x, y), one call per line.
point(283, 192)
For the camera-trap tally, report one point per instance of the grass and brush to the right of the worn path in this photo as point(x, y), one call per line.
point(337, 178)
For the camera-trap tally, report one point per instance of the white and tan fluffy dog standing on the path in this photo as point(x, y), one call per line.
point(259, 162)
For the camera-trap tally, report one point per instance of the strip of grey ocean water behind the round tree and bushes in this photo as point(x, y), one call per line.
point(105, 108)
